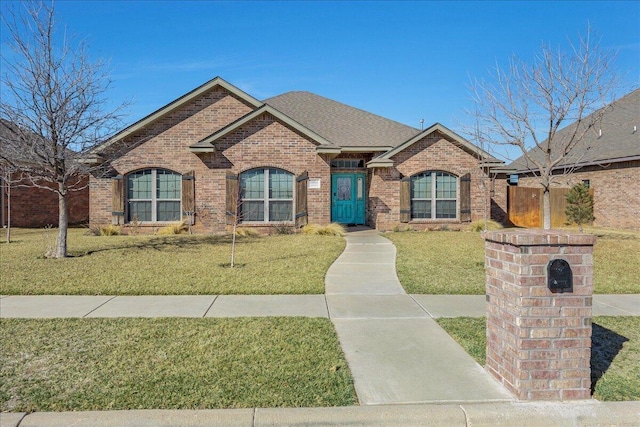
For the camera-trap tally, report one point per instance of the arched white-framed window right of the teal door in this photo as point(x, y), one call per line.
point(433, 195)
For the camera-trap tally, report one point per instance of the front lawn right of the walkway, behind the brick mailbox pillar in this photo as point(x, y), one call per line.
point(447, 262)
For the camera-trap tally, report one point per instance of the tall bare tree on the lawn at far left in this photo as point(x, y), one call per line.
point(54, 96)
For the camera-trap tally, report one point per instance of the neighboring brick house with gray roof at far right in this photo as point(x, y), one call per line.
point(607, 160)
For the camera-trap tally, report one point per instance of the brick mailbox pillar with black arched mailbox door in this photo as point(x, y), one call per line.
point(539, 312)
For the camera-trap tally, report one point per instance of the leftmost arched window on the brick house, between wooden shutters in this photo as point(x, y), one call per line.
point(154, 195)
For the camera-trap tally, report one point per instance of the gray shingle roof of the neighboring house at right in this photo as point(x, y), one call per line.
point(618, 141)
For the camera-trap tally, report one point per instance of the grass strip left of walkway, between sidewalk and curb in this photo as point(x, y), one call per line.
point(108, 364)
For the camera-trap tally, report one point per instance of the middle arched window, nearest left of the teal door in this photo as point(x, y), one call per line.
point(266, 195)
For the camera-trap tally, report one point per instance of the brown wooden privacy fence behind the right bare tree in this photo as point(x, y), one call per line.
point(524, 205)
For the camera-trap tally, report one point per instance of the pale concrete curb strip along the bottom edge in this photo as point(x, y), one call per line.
point(509, 414)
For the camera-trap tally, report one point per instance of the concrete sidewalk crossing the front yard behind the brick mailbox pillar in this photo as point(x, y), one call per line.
point(435, 306)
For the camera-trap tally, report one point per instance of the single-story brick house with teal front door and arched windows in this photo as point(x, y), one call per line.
point(293, 159)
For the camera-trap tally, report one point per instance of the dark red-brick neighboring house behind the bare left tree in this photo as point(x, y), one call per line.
point(33, 206)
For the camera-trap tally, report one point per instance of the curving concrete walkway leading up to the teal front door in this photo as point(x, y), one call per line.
point(396, 352)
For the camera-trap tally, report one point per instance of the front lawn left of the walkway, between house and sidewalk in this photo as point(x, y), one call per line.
point(167, 265)
